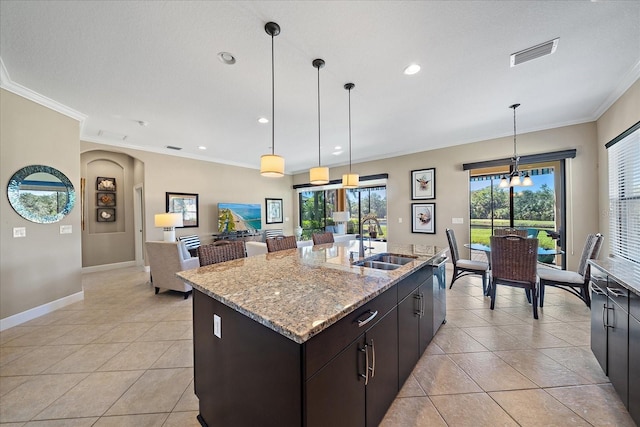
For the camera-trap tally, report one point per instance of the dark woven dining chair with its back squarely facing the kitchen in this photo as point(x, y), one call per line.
point(514, 262)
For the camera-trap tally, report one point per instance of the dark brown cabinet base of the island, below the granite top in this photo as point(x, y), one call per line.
point(347, 375)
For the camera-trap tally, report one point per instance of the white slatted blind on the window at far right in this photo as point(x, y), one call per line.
point(624, 195)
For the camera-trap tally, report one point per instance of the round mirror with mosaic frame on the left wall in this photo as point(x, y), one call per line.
point(41, 194)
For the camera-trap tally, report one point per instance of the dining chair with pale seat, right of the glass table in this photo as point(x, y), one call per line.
point(574, 282)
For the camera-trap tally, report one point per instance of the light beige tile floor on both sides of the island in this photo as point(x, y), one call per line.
point(123, 357)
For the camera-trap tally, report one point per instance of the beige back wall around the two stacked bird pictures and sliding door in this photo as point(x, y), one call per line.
point(452, 183)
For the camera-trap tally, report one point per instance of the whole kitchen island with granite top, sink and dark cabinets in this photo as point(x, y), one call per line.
point(303, 337)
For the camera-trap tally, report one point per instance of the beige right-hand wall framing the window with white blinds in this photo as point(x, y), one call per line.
point(623, 114)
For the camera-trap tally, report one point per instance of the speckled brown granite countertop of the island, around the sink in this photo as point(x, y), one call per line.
point(300, 292)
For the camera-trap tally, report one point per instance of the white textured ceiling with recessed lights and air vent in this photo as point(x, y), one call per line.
point(119, 63)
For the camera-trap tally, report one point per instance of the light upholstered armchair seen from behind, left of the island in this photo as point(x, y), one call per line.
point(165, 260)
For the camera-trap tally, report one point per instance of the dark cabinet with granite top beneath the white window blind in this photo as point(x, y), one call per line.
point(615, 327)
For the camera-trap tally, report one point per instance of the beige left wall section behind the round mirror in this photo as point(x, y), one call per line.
point(45, 265)
